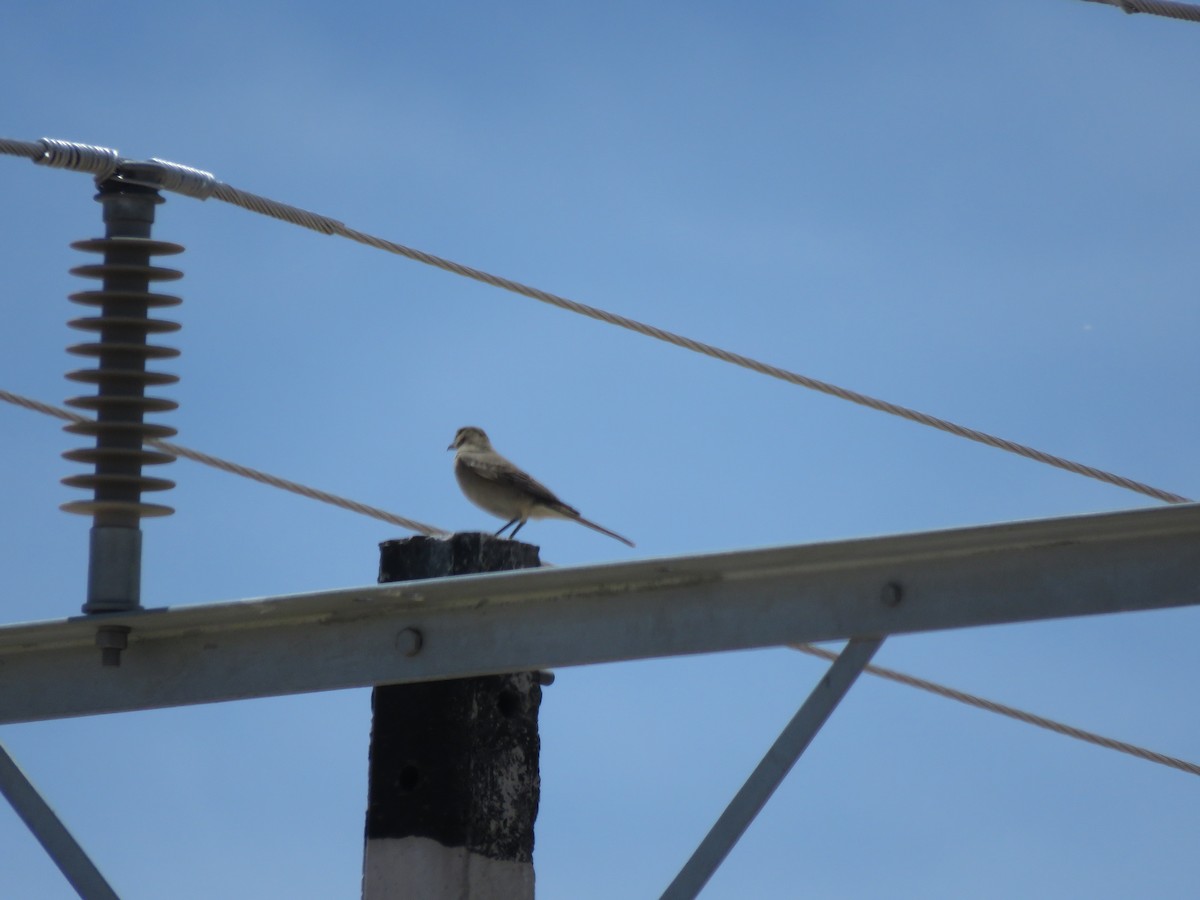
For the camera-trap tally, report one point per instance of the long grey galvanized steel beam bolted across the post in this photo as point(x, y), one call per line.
point(467, 626)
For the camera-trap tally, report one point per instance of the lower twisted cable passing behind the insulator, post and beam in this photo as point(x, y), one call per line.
point(375, 513)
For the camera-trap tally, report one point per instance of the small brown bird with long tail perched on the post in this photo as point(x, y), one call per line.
point(497, 487)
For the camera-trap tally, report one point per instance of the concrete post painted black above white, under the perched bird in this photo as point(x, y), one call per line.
point(454, 782)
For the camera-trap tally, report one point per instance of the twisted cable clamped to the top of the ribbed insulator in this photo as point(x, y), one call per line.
point(202, 185)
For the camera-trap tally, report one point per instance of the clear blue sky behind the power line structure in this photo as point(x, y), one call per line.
point(986, 212)
